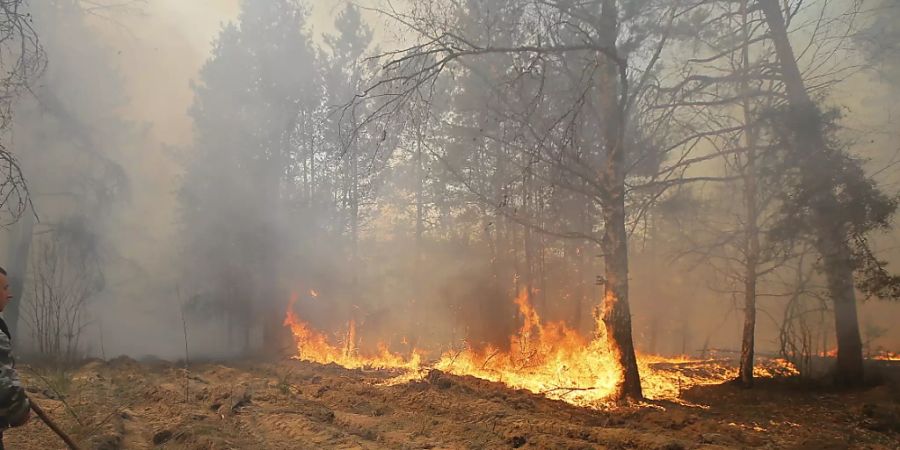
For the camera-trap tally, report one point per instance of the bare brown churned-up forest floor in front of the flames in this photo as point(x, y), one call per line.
point(298, 405)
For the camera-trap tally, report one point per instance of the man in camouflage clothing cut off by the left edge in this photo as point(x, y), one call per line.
point(15, 408)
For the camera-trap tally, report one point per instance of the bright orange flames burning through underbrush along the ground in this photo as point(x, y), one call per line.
point(550, 359)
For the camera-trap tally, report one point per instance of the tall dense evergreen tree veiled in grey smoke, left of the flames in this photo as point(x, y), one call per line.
point(245, 112)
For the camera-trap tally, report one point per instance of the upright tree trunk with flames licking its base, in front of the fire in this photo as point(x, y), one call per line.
point(616, 312)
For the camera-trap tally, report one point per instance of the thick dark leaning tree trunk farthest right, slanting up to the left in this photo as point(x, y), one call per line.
point(831, 234)
